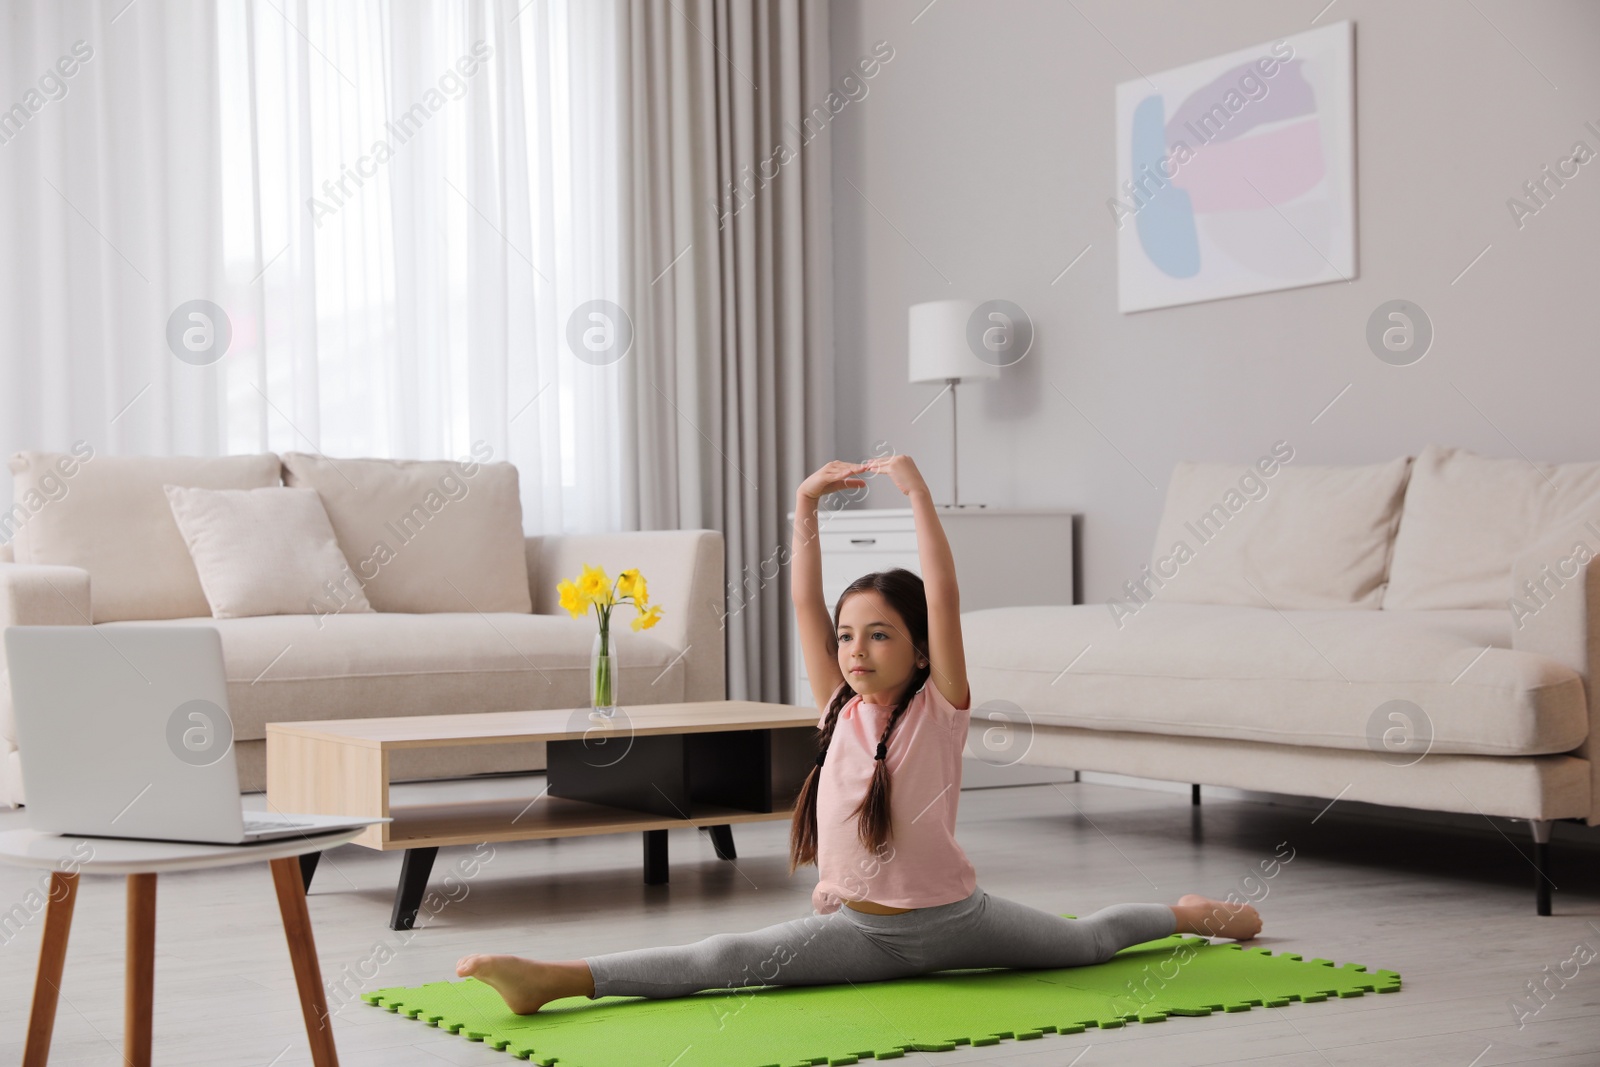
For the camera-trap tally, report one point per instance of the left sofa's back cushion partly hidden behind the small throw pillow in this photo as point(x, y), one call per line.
point(111, 518)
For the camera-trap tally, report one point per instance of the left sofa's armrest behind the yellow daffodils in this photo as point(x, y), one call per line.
point(686, 570)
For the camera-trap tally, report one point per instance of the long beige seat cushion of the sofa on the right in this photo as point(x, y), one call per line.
point(1290, 677)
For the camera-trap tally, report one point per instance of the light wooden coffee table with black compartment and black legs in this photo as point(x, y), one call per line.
point(657, 767)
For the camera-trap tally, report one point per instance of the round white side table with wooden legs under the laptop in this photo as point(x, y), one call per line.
point(142, 861)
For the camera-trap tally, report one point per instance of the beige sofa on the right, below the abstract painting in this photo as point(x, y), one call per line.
point(1415, 634)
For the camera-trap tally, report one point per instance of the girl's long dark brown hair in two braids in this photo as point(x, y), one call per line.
point(905, 593)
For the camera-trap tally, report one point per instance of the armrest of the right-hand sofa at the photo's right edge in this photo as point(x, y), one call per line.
point(1556, 613)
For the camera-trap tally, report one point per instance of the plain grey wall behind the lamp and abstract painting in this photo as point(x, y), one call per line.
point(983, 153)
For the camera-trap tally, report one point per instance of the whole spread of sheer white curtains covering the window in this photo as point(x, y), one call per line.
point(396, 206)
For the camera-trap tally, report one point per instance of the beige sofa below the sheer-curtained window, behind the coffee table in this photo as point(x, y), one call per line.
point(103, 548)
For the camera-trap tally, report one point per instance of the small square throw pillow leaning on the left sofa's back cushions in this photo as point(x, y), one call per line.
point(265, 551)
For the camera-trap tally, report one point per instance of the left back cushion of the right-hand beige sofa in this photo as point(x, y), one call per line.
point(1281, 535)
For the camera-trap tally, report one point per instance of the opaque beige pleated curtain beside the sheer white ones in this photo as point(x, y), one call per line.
point(730, 290)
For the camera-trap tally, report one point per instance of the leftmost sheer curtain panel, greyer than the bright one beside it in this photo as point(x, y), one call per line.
point(110, 182)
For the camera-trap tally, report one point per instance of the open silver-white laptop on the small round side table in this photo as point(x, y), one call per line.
point(124, 732)
